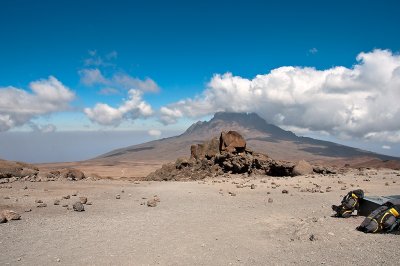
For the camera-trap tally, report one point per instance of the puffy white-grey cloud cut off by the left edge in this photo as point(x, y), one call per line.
point(18, 106)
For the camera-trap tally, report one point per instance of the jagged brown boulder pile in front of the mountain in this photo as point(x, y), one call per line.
point(228, 154)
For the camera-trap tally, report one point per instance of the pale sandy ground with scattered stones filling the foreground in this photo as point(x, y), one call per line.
point(196, 223)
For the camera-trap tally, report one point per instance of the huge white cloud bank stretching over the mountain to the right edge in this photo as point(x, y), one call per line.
point(360, 102)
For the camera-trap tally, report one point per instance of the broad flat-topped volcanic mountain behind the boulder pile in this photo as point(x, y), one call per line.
point(260, 136)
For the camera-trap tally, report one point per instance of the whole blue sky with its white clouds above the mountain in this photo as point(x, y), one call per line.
point(160, 65)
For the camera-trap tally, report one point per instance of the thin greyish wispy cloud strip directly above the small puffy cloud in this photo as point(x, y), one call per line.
point(93, 76)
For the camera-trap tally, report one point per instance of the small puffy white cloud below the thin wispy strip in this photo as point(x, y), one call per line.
point(132, 108)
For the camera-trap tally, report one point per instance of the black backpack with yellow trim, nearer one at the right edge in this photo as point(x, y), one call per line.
point(386, 219)
